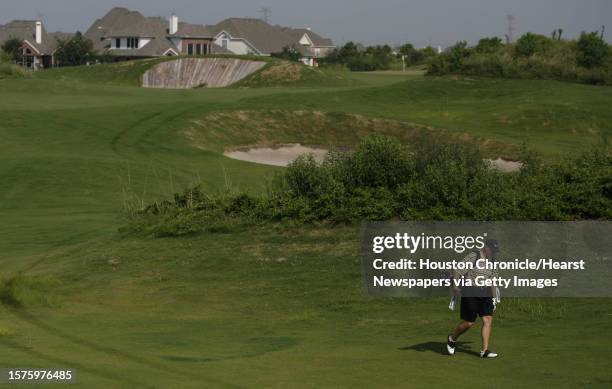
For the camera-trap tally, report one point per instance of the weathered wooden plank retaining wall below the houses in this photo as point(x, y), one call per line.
point(186, 73)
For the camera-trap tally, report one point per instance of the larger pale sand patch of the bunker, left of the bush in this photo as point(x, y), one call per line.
point(276, 156)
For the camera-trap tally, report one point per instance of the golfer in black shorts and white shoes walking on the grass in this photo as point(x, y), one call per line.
point(476, 301)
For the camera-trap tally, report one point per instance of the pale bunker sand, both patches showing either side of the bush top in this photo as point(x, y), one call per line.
point(285, 154)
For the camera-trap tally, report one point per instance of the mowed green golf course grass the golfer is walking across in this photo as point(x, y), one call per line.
point(279, 307)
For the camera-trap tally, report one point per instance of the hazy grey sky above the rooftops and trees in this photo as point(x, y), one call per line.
point(435, 22)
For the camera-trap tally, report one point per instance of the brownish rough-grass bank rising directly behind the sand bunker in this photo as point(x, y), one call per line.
point(221, 130)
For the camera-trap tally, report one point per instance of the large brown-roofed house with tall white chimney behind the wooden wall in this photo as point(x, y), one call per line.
point(128, 34)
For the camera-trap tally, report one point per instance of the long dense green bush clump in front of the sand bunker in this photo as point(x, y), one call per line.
point(383, 180)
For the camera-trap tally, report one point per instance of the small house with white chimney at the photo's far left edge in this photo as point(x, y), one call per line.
point(38, 46)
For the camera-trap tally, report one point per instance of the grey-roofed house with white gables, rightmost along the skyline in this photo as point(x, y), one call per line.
point(256, 37)
